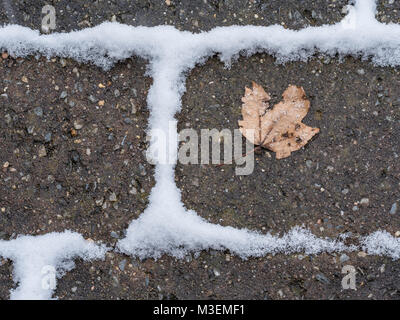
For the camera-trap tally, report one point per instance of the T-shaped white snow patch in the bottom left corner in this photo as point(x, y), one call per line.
point(39, 260)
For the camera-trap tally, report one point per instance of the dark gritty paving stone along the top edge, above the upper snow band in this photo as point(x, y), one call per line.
point(185, 15)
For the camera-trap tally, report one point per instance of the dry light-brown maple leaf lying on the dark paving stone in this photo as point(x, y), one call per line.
point(278, 129)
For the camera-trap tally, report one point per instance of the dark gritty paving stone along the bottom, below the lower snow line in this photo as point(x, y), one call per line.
point(217, 275)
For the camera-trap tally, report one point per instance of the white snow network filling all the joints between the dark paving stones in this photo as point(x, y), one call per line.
point(166, 227)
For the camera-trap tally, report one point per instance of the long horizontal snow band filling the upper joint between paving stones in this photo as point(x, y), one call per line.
point(357, 34)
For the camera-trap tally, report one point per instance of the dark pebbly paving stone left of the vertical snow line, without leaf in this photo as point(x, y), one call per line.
point(73, 141)
